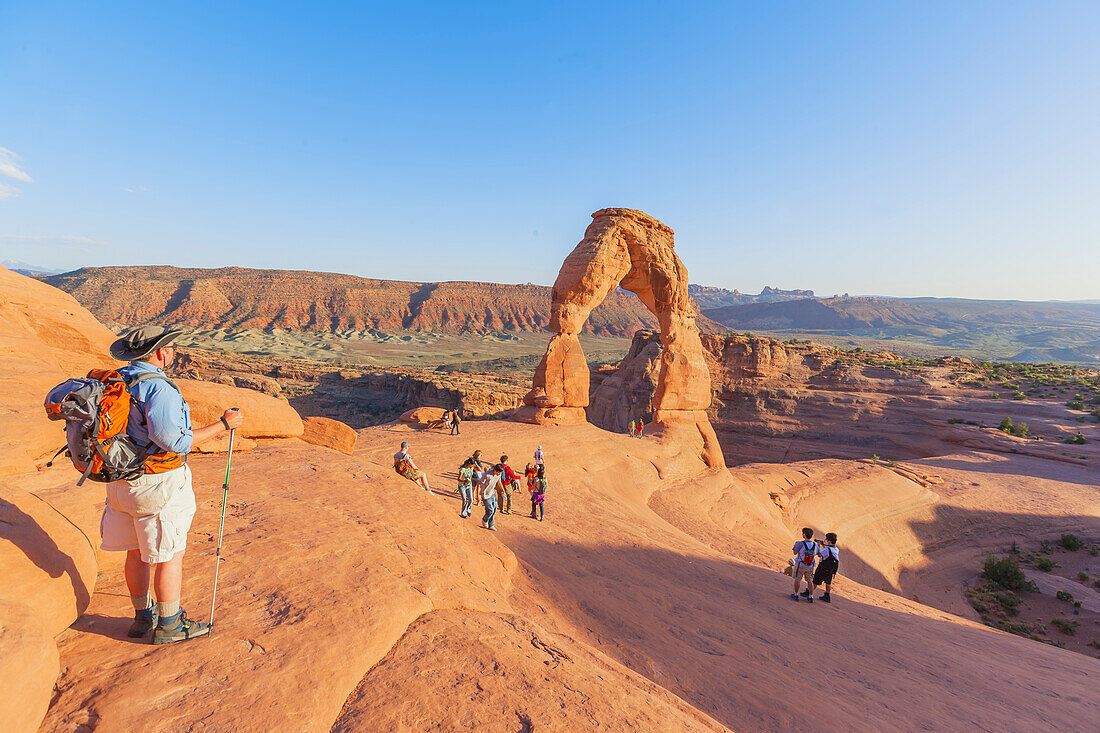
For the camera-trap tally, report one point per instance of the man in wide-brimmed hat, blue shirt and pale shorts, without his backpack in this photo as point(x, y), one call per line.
point(149, 518)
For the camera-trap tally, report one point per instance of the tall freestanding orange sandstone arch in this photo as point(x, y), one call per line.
point(633, 250)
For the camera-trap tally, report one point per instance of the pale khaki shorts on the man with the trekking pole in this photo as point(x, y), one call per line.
point(151, 515)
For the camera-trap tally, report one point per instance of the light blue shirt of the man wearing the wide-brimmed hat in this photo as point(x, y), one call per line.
point(158, 413)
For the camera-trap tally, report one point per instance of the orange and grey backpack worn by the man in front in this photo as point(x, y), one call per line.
point(96, 411)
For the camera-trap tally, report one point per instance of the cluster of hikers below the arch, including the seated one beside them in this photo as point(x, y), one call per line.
point(480, 483)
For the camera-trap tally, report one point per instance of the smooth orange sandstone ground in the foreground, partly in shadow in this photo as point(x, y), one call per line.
point(648, 600)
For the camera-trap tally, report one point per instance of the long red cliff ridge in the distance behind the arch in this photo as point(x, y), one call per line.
point(293, 301)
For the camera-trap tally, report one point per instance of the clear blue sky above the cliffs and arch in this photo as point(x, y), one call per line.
point(895, 149)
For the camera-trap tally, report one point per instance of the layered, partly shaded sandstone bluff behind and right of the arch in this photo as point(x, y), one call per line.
point(783, 402)
